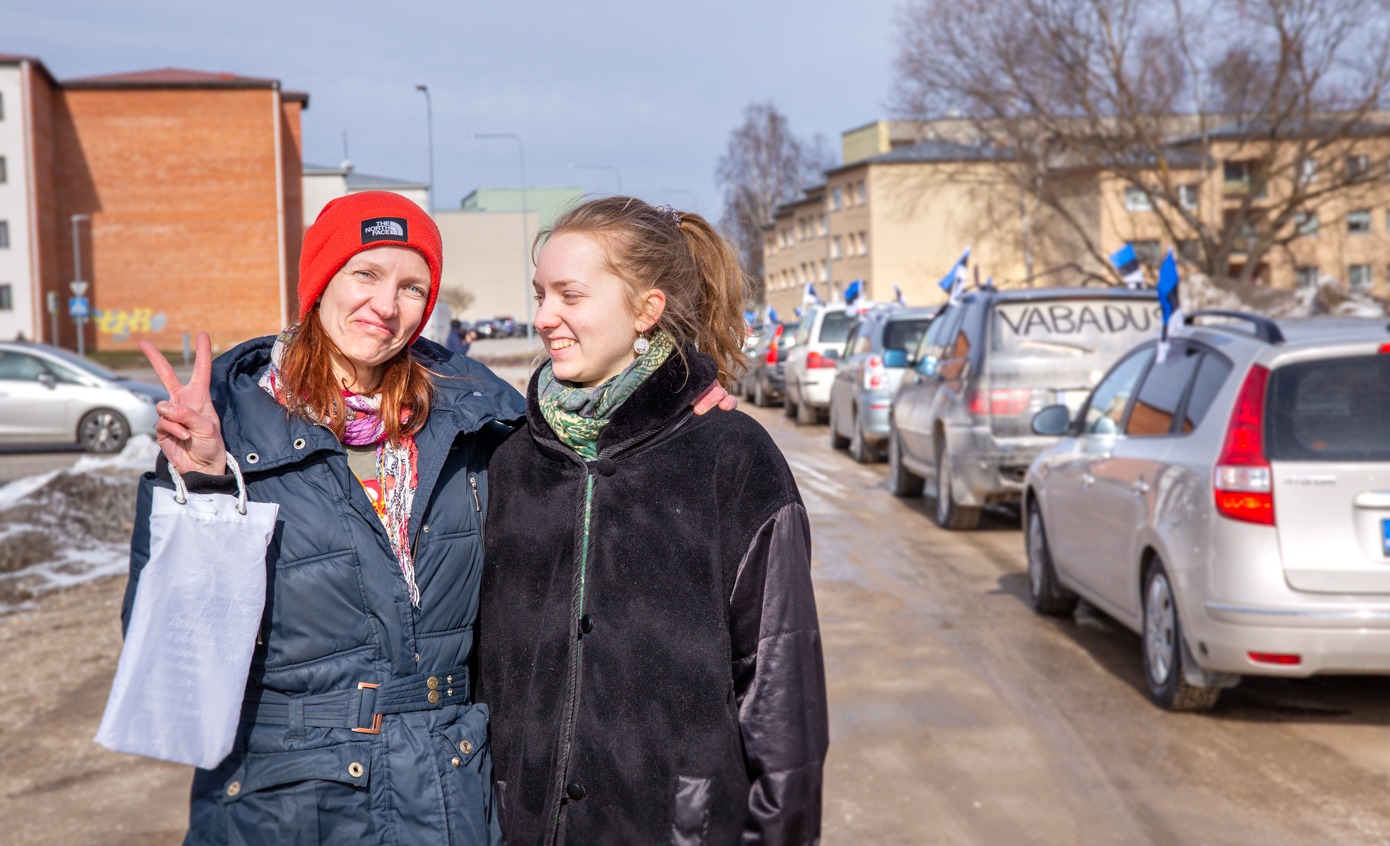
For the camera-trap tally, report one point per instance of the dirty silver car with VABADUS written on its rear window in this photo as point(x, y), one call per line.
point(960, 422)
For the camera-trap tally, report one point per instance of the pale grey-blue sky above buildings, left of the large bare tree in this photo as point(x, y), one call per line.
point(647, 87)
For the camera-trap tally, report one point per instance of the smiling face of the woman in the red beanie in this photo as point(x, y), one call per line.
point(376, 304)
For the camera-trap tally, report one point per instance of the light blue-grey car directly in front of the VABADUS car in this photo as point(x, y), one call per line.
point(868, 374)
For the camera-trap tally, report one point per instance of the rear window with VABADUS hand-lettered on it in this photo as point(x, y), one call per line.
point(1071, 329)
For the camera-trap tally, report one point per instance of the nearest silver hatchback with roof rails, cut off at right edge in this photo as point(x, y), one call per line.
point(1231, 504)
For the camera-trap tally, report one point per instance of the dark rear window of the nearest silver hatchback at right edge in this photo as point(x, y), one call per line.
point(1330, 410)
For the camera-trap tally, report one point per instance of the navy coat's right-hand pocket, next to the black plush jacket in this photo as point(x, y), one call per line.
point(465, 762)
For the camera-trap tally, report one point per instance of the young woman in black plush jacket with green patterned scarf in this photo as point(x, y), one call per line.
point(650, 644)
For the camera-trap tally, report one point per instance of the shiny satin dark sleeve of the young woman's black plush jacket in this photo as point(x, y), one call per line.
point(780, 681)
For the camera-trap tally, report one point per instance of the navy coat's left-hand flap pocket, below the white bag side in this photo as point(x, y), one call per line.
point(300, 798)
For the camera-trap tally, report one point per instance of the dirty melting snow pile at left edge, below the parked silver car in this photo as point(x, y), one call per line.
point(73, 526)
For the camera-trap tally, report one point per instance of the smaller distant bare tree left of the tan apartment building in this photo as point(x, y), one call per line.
point(764, 167)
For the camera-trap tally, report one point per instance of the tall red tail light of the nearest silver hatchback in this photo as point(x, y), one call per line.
point(1242, 481)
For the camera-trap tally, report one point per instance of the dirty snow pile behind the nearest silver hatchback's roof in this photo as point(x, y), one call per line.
point(1330, 299)
